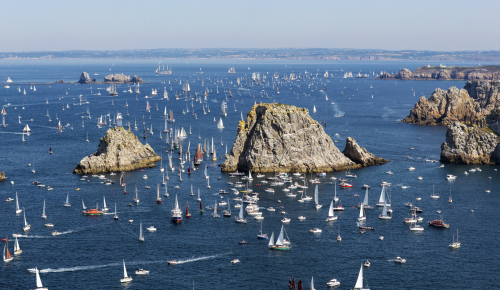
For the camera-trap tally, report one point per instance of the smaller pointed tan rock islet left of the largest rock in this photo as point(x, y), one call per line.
point(119, 150)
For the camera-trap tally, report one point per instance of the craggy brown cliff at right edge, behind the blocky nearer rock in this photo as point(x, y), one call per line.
point(472, 105)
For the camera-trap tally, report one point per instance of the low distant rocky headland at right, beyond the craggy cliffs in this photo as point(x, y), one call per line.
point(473, 73)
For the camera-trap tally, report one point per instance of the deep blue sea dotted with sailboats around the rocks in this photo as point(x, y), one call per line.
point(90, 251)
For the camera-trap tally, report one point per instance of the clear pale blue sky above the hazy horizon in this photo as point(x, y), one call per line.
point(117, 25)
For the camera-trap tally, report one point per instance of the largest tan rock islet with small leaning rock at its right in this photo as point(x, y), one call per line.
point(284, 138)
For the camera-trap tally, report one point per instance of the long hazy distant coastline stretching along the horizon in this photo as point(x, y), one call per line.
point(284, 53)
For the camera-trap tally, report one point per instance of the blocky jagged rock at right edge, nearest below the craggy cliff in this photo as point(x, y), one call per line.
point(470, 145)
